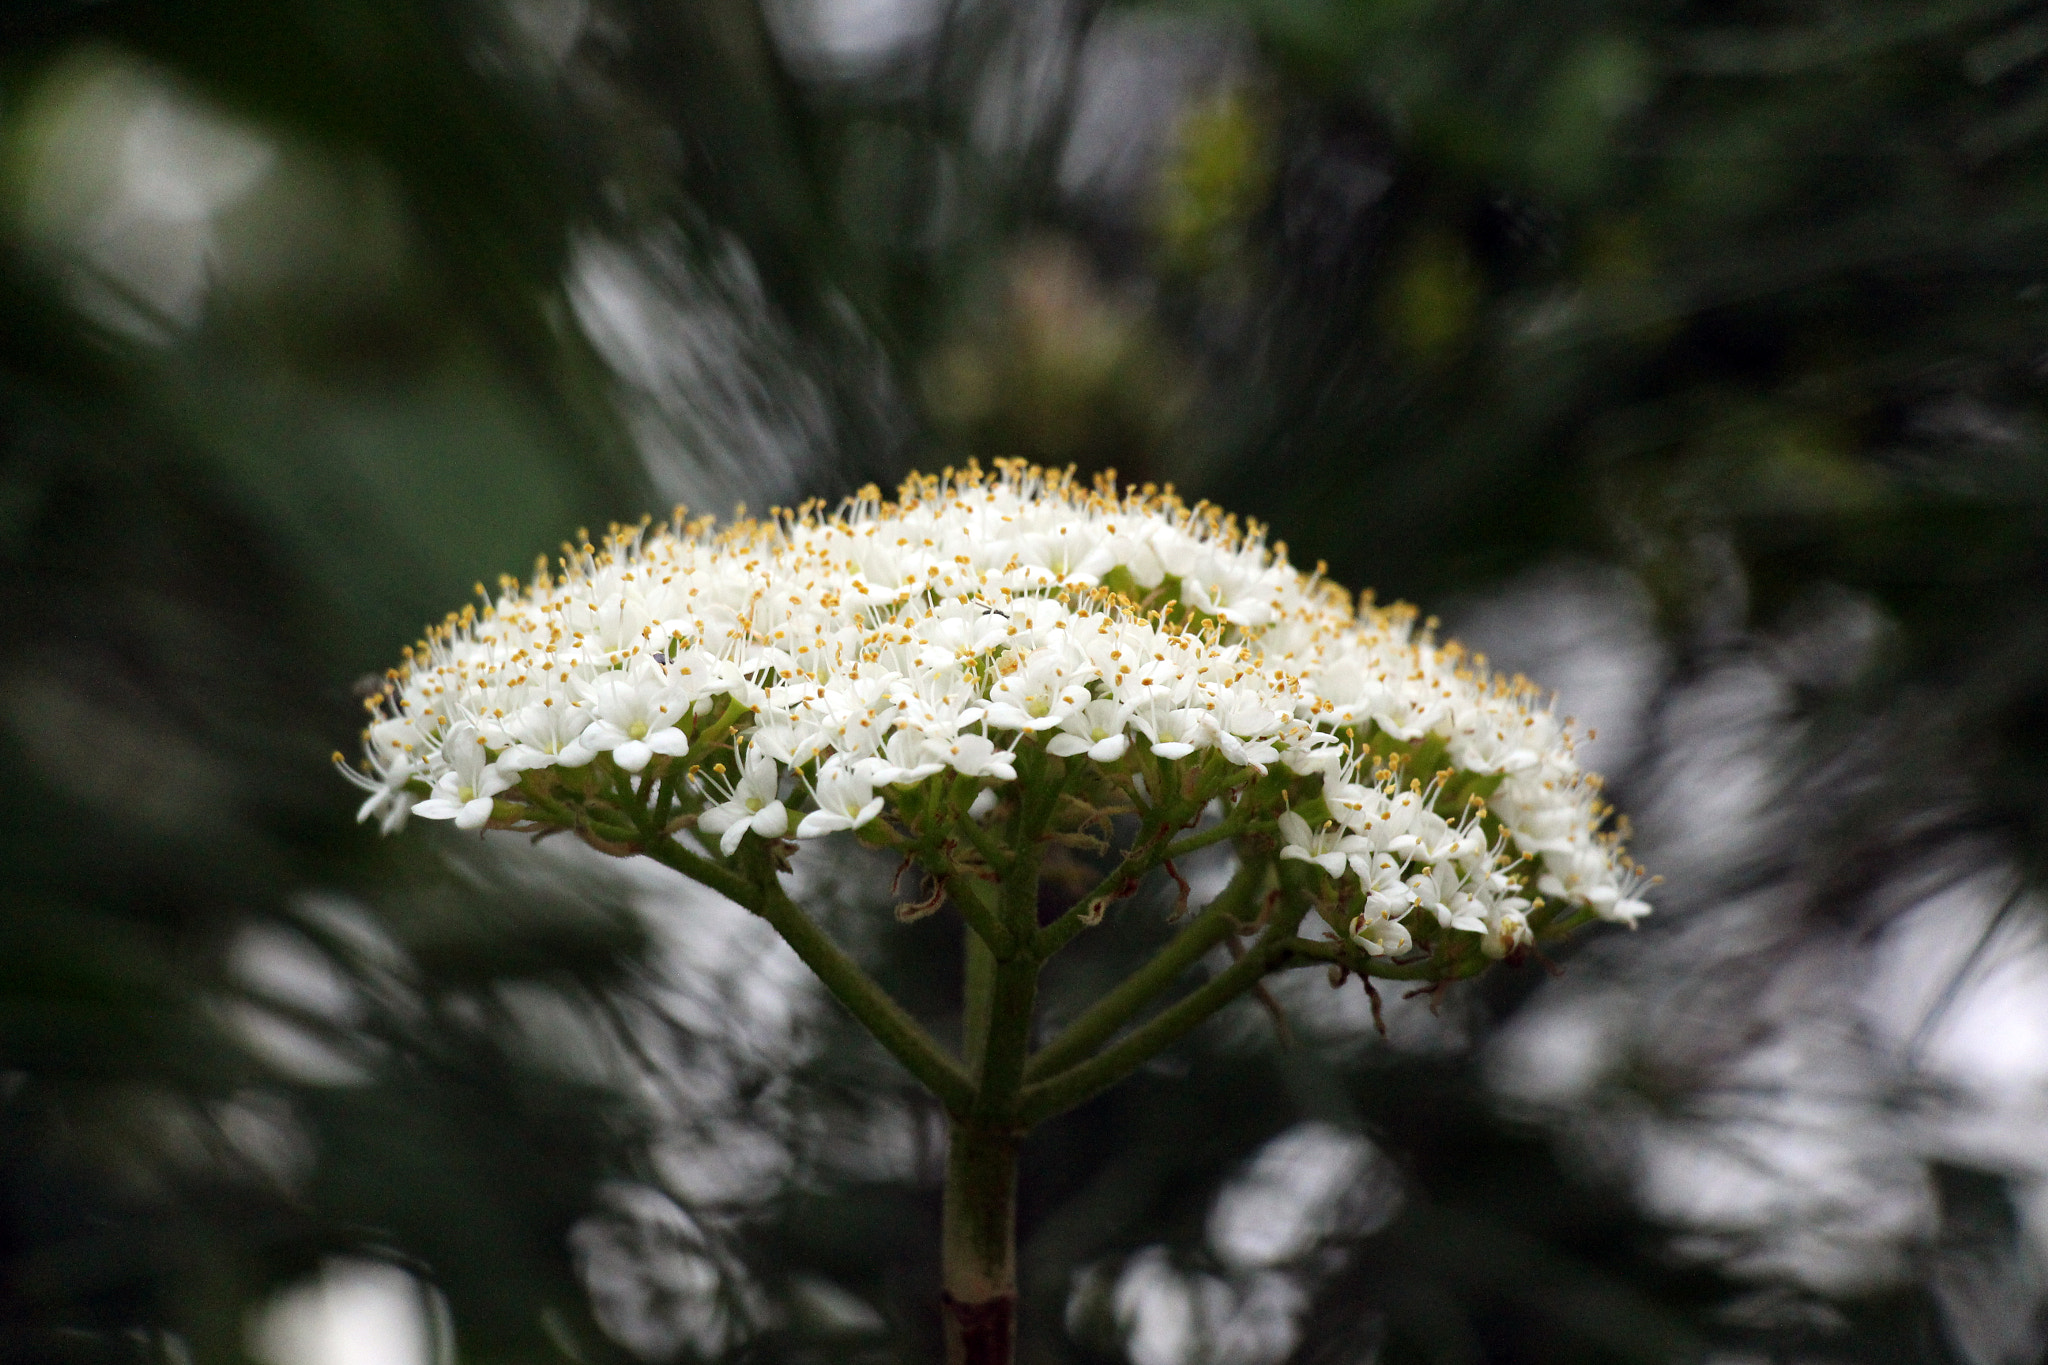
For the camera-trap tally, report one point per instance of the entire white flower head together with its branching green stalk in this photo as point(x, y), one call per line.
point(984, 668)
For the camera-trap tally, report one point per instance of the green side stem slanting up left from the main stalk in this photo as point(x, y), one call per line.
point(853, 987)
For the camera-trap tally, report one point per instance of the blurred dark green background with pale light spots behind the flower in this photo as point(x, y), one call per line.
point(1691, 357)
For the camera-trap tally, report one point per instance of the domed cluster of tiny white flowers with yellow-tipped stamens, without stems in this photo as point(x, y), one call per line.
point(847, 670)
